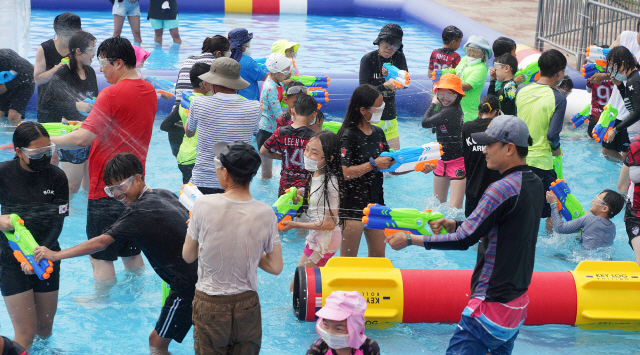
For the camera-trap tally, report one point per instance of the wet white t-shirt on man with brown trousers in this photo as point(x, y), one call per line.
point(232, 237)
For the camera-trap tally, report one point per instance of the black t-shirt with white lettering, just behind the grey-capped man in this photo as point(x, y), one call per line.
point(479, 177)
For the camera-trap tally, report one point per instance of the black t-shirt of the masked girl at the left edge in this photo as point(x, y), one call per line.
point(40, 199)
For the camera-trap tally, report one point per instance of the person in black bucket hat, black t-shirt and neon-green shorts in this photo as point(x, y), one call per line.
point(389, 50)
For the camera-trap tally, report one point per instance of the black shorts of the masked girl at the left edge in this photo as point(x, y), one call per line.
point(14, 281)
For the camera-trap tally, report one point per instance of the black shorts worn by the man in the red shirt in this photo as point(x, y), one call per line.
point(102, 213)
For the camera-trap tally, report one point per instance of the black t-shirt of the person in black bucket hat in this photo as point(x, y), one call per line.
point(371, 73)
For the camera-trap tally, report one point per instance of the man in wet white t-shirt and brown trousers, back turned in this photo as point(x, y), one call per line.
point(232, 235)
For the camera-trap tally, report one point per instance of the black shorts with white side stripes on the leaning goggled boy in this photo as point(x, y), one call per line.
point(175, 316)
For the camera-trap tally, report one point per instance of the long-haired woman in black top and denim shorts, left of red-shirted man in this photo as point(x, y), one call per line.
point(64, 101)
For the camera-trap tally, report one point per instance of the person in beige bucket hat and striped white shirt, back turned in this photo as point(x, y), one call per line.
point(223, 117)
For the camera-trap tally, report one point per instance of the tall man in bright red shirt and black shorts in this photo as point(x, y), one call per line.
point(121, 121)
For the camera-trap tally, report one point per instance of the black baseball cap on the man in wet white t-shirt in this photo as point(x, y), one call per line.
point(238, 157)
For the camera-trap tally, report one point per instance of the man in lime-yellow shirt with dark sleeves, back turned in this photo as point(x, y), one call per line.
point(542, 108)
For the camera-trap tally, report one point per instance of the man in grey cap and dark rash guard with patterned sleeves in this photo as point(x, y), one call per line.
point(508, 216)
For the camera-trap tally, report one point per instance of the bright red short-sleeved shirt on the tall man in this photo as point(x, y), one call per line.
point(122, 118)
